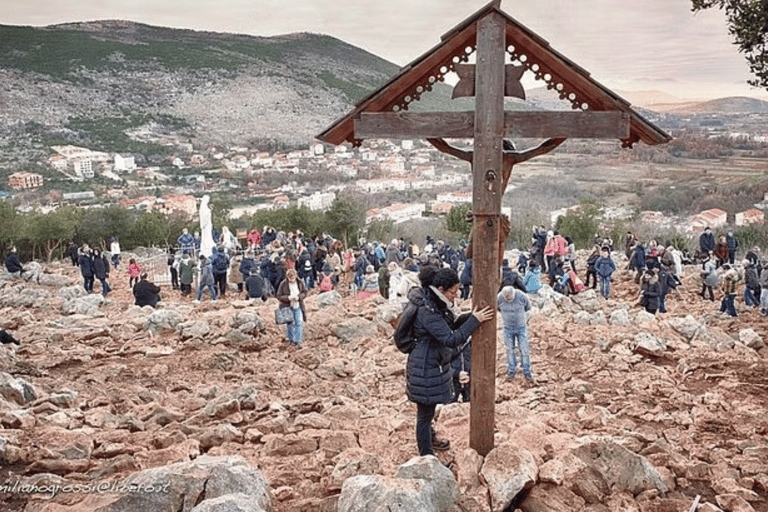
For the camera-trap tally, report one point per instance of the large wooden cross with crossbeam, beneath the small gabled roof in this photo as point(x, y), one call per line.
point(489, 124)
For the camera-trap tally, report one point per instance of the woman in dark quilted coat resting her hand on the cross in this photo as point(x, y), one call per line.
point(428, 373)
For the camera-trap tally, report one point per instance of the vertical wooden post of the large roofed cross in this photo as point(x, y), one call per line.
point(486, 196)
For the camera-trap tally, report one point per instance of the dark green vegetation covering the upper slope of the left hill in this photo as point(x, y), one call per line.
point(67, 54)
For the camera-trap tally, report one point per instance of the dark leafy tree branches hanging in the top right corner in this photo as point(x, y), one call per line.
point(748, 24)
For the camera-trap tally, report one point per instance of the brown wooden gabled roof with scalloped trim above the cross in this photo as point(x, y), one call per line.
point(571, 82)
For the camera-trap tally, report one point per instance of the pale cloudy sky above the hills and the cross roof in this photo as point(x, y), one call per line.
point(627, 46)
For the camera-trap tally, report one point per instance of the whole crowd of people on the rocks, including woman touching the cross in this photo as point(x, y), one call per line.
point(290, 265)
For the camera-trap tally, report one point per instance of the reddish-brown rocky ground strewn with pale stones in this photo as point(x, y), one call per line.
point(633, 412)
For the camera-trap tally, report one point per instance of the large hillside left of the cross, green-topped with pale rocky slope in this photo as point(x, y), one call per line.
point(209, 87)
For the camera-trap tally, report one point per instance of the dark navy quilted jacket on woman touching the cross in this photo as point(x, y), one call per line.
point(428, 372)
